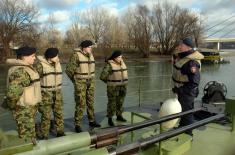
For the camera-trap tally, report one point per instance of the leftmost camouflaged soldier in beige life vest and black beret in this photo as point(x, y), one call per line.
point(24, 92)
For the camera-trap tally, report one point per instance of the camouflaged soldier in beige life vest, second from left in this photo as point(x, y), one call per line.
point(50, 72)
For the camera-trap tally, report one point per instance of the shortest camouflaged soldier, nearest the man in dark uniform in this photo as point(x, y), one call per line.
point(115, 75)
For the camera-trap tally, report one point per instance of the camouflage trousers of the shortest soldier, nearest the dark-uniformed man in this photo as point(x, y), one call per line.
point(116, 97)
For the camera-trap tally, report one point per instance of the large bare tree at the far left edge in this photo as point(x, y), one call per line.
point(15, 17)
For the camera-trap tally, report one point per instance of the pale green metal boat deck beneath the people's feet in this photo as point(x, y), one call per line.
point(212, 139)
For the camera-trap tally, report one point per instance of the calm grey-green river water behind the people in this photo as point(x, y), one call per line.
point(149, 83)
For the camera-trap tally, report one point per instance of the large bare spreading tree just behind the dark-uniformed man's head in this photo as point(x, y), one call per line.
point(171, 24)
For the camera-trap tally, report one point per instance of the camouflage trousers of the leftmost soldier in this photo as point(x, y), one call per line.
point(25, 121)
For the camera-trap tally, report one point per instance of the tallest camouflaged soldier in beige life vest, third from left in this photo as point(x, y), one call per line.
point(81, 70)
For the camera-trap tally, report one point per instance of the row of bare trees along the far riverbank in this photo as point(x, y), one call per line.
point(140, 28)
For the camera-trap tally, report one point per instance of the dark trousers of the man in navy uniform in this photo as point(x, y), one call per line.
point(187, 103)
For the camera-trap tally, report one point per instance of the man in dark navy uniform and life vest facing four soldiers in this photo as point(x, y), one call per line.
point(186, 78)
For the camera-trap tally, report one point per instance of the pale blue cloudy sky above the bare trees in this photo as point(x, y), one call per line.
point(213, 11)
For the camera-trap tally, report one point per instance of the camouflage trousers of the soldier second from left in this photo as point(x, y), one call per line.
point(51, 102)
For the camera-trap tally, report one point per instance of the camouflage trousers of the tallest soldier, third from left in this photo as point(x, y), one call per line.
point(84, 96)
